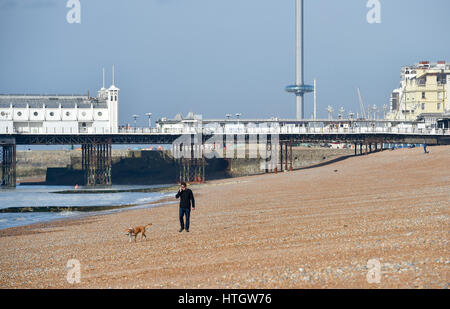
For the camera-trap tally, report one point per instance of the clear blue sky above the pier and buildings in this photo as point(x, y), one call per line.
point(215, 57)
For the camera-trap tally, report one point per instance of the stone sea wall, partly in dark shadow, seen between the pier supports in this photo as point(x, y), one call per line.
point(63, 167)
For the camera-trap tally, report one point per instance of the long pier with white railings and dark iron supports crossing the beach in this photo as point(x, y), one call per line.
point(273, 140)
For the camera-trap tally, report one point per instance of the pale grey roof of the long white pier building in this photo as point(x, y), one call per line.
point(50, 101)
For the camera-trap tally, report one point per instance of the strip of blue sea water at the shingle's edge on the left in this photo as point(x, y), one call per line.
point(34, 196)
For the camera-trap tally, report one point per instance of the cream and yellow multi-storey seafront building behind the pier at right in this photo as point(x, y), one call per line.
point(423, 94)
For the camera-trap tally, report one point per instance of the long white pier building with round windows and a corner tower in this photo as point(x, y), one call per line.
point(60, 114)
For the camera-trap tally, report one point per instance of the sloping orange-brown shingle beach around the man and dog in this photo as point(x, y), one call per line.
point(312, 228)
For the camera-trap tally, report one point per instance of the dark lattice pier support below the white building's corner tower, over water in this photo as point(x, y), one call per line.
point(97, 163)
